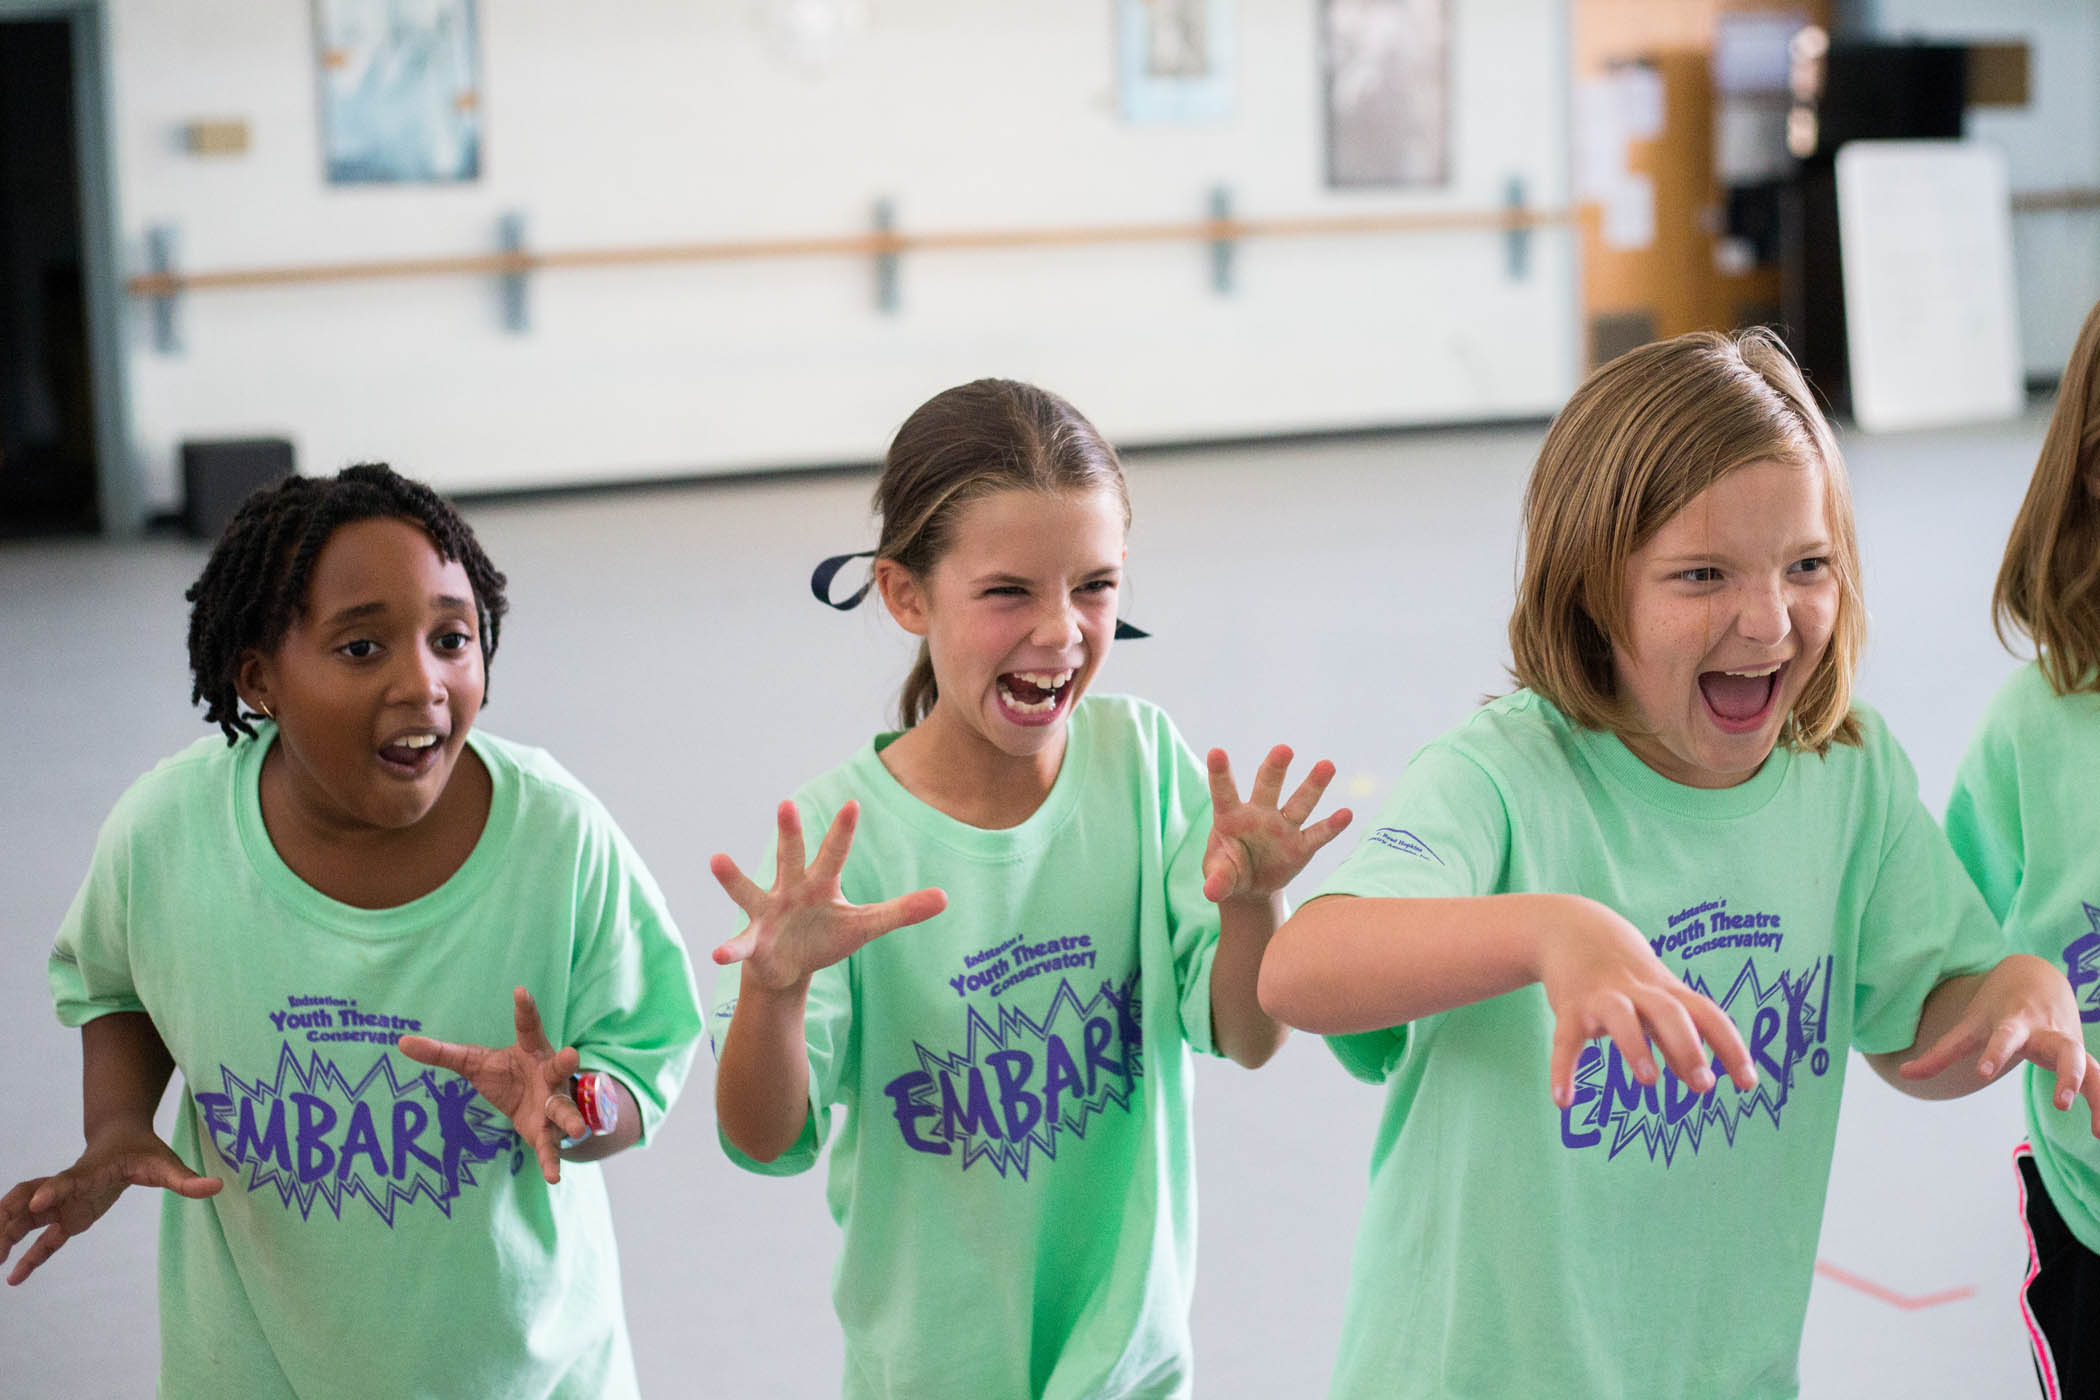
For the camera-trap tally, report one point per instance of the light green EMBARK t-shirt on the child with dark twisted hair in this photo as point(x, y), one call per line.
point(383, 1231)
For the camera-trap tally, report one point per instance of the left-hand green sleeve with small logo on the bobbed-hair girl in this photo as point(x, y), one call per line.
point(1444, 834)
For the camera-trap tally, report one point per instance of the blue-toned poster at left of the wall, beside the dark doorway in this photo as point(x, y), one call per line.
point(400, 91)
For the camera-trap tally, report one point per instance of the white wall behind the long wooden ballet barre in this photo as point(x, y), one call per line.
point(665, 121)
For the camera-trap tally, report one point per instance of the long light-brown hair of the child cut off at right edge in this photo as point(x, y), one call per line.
point(2051, 580)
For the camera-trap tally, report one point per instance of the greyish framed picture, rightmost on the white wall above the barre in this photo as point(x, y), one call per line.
point(1389, 91)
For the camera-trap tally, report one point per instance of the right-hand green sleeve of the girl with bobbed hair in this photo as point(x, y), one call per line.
point(1923, 925)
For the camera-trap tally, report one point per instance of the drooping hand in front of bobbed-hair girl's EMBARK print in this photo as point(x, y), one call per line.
point(1605, 981)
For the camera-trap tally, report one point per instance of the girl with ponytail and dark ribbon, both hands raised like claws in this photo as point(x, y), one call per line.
point(1015, 1166)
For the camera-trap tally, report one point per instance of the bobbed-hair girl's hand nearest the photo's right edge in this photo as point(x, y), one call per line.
point(2023, 1011)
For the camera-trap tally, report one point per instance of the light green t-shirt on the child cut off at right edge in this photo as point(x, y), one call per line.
point(2023, 820)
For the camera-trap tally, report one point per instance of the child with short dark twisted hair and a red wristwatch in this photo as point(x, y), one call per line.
point(289, 914)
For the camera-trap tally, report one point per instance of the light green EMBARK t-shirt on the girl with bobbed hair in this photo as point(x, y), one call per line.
point(1643, 1242)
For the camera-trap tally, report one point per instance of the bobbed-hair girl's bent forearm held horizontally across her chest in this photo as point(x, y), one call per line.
point(1364, 964)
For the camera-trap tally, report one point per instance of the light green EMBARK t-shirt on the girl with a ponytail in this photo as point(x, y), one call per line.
point(1015, 1166)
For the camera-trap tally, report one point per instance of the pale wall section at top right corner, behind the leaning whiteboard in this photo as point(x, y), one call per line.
point(2051, 144)
